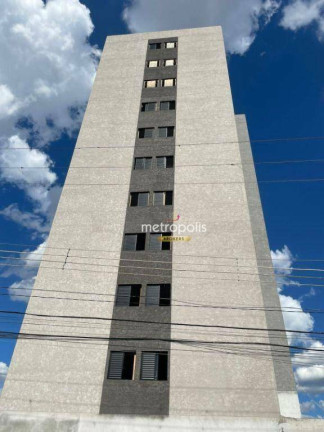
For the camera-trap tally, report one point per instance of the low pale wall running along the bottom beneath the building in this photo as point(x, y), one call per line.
point(24, 422)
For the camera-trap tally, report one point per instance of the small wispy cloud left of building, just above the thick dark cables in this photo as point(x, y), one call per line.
point(26, 270)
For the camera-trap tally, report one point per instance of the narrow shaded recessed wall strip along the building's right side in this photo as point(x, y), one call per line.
point(283, 370)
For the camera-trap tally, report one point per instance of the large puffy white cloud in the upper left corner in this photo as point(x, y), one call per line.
point(47, 65)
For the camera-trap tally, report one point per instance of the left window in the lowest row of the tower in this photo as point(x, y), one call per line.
point(121, 365)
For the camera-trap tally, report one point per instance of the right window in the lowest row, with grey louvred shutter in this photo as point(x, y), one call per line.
point(154, 366)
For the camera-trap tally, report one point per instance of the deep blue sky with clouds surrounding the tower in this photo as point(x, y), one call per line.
point(276, 64)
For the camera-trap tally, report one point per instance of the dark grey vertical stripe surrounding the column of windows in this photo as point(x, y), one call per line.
point(146, 397)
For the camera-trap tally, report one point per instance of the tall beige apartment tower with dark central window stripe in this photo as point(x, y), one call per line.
point(155, 327)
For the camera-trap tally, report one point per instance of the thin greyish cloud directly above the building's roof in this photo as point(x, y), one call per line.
point(240, 19)
